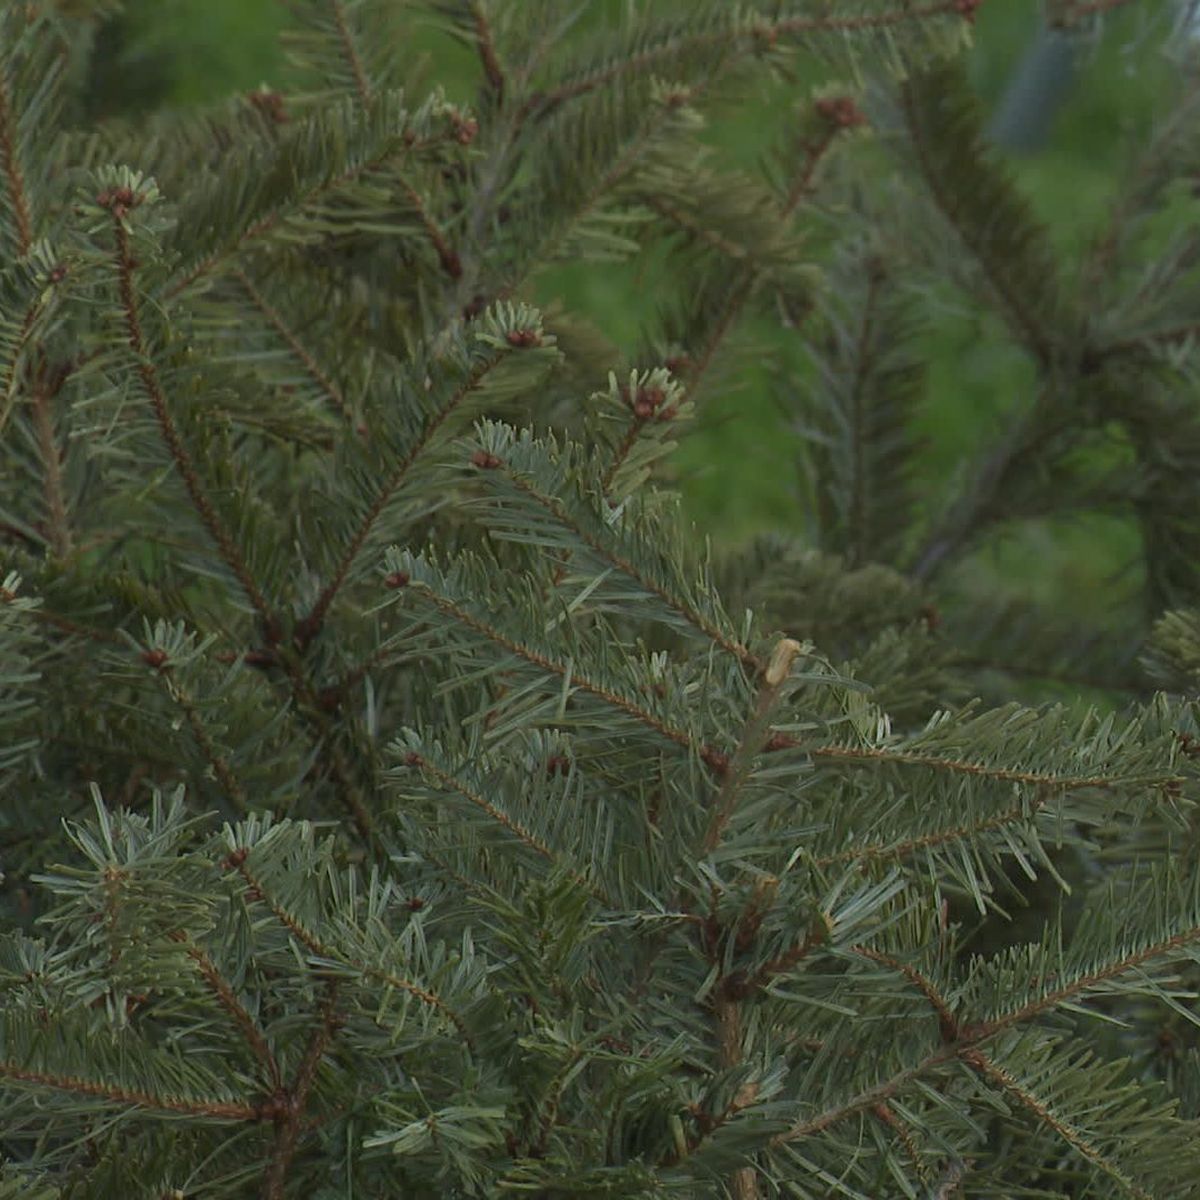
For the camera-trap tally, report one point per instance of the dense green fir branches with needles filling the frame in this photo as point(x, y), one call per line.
point(397, 799)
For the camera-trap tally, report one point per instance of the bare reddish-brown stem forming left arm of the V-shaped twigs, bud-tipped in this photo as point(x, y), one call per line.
point(118, 202)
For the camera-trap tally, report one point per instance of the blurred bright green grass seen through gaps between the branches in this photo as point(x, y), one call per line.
point(737, 471)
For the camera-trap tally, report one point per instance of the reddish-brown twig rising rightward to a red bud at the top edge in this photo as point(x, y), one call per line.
point(745, 38)
